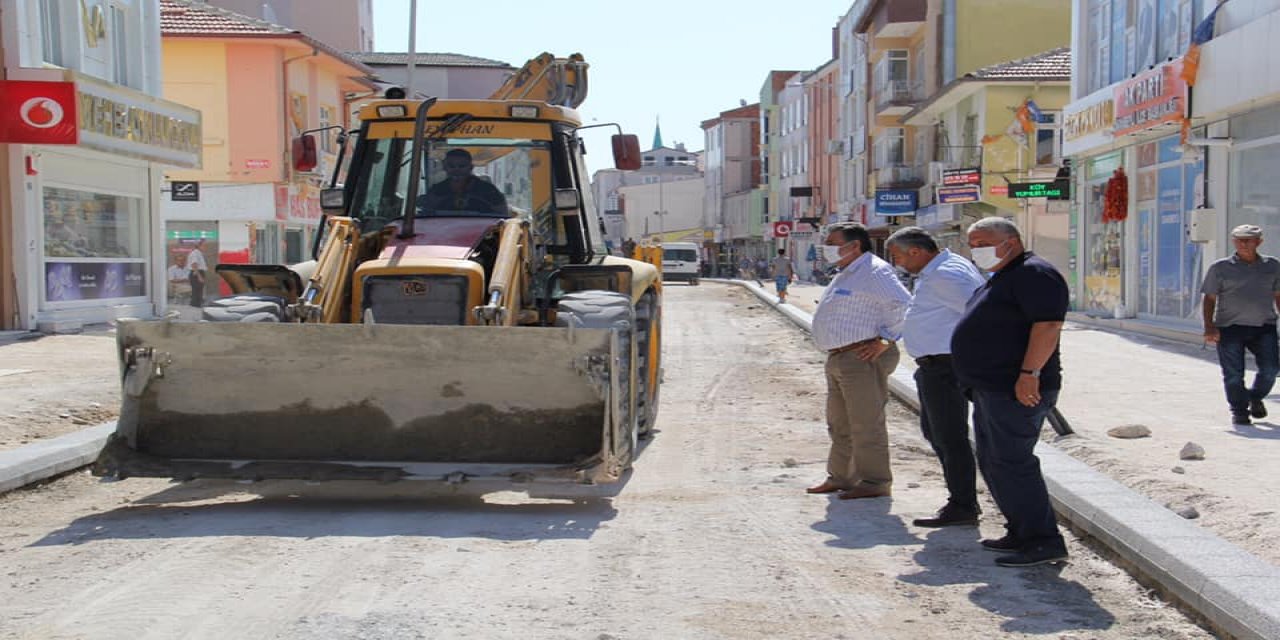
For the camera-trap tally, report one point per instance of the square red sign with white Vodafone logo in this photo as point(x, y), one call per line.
point(39, 113)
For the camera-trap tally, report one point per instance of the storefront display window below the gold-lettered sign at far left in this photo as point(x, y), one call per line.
point(94, 246)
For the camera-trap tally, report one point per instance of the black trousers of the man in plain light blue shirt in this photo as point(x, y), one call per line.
point(945, 423)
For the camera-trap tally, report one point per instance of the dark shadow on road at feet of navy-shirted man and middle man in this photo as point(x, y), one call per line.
point(1035, 601)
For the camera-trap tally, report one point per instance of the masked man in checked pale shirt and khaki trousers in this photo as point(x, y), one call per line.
point(857, 323)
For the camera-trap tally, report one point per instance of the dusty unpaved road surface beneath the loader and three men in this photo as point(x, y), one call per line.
point(711, 537)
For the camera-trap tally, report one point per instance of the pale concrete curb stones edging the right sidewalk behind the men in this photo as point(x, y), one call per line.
point(1235, 591)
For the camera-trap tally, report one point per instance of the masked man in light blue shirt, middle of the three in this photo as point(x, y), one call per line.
point(944, 285)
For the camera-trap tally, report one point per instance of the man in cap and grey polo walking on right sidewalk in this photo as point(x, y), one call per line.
point(1241, 296)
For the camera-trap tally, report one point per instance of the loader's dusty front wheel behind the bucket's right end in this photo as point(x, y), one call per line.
point(610, 310)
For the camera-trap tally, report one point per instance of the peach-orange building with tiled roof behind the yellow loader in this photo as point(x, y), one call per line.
point(260, 86)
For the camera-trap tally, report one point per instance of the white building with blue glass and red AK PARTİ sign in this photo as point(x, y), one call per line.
point(1145, 257)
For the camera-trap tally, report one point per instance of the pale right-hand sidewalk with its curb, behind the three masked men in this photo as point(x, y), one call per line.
point(1223, 565)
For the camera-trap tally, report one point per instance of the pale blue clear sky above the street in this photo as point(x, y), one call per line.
point(675, 62)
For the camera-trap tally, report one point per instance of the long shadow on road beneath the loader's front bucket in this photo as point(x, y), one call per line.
point(196, 510)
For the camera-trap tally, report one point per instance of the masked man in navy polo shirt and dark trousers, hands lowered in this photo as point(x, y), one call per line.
point(1005, 351)
